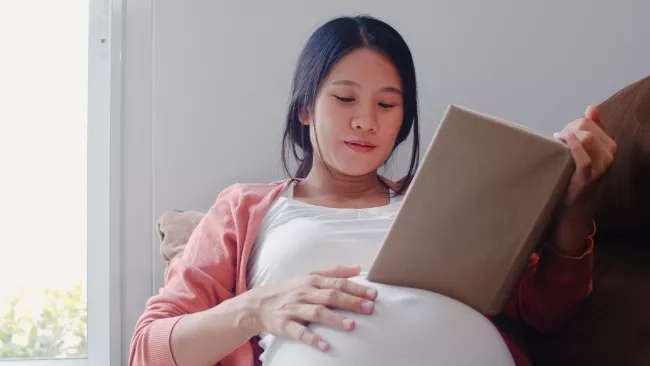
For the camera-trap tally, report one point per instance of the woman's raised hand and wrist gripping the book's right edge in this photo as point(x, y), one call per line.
point(593, 152)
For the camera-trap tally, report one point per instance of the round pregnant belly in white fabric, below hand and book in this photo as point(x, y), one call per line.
point(408, 327)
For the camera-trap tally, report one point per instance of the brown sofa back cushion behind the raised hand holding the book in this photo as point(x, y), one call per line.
point(623, 207)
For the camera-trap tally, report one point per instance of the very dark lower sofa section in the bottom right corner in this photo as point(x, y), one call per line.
point(613, 327)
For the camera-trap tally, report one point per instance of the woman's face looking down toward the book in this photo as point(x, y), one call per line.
point(357, 114)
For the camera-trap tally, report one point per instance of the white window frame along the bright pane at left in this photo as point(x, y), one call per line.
point(103, 191)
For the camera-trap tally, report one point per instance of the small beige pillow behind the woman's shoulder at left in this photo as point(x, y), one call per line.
point(175, 228)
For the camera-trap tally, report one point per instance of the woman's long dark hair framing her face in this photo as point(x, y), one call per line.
point(326, 46)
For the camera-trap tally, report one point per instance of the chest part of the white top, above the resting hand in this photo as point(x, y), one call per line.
point(296, 238)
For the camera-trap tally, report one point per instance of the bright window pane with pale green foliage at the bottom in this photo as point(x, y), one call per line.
point(43, 112)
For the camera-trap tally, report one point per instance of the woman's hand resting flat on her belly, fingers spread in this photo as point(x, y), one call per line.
point(285, 309)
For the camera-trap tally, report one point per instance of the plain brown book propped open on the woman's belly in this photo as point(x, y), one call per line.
point(476, 210)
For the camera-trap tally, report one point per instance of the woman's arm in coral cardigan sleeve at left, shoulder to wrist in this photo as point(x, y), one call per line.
point(183, 325)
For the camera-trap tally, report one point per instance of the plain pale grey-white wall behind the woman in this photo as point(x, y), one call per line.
point(206, 84)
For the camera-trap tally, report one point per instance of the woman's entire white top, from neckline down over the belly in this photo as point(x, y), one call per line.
point(408, 327)
